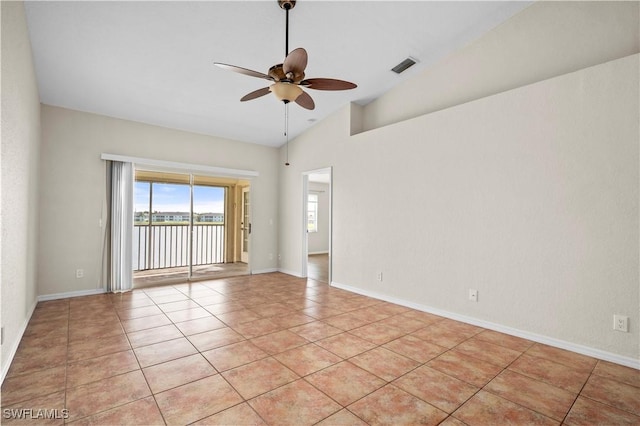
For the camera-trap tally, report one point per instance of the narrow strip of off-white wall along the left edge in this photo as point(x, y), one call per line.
point(19, 177)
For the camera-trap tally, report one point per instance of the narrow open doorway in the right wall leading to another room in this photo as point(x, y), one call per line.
point(317, 219)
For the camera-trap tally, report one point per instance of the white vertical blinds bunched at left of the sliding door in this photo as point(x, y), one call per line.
point(121, 276)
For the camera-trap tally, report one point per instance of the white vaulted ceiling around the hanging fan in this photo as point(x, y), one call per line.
point(152, 62)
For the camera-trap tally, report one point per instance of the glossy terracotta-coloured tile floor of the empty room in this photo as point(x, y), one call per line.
point(274, 349)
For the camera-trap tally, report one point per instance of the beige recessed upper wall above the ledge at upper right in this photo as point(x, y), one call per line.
point(547, 39)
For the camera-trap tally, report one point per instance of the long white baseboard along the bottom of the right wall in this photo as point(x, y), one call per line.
point(562, 344)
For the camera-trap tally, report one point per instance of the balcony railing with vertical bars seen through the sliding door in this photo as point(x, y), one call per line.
point(167, 246)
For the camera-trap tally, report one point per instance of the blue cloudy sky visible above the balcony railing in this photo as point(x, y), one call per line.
point(169, 197)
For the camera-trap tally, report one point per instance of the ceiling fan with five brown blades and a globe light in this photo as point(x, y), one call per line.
point(288, 77)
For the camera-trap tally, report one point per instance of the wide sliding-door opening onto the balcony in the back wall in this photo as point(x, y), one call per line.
point(186, 228)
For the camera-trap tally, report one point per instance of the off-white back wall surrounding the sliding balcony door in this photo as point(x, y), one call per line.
point(73, 188)
